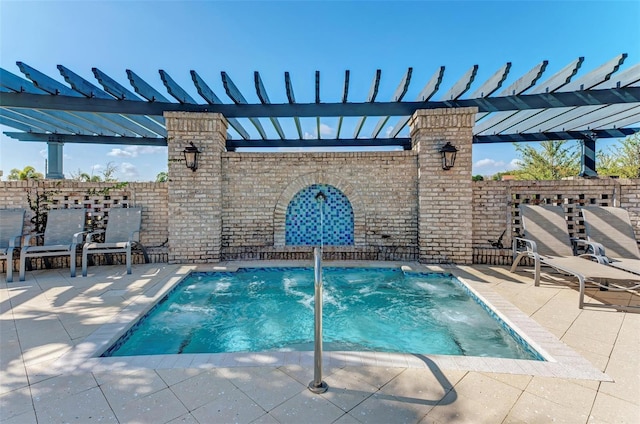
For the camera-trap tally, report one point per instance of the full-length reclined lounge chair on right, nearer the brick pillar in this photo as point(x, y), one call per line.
point(547, 242)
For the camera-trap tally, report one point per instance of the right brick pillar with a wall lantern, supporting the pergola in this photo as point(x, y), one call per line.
point(444, 196)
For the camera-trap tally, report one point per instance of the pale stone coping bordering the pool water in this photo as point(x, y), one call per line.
point(561, 360)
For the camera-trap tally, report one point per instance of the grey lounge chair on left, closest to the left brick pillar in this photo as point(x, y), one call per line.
point(123, 231)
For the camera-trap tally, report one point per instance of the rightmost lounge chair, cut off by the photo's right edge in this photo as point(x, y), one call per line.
point(612, 228)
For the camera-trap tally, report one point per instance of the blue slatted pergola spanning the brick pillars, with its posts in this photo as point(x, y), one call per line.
point(599, 104)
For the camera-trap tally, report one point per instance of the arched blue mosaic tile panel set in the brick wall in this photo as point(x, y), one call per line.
point(303, 219)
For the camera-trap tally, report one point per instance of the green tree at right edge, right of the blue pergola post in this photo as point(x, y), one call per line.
point(622, 160)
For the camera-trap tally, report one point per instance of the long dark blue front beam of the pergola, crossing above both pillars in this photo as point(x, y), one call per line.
point(489, 104)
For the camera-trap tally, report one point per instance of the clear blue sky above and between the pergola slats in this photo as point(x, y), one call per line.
point(301, 37)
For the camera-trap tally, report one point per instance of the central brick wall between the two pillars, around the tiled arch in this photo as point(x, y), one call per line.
point(257, 187)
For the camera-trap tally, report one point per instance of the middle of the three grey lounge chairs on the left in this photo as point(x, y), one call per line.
point(63, 233)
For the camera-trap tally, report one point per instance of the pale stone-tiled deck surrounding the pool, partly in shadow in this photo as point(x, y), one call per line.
point(51, 326)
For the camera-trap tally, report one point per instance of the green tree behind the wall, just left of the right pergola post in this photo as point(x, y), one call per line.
point(553, 160)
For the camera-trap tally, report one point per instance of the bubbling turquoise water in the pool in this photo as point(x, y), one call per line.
point(364, 310)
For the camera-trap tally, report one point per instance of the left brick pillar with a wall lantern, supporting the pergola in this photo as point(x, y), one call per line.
point(195, 198)
